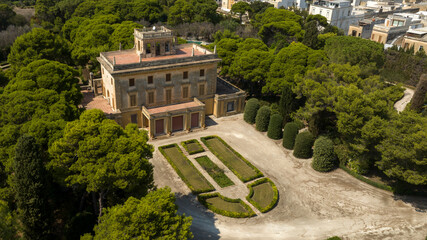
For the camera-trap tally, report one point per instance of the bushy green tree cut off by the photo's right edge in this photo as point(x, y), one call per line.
point(404, 148)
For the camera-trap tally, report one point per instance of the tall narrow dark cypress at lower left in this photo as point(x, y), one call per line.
point(31, 189)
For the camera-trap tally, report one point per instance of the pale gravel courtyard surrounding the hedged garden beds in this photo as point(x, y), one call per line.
point(311, 205)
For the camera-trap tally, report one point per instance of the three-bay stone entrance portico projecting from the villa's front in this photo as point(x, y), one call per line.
point(173, 118)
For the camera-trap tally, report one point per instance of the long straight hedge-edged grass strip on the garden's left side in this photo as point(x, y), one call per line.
point(185, 169)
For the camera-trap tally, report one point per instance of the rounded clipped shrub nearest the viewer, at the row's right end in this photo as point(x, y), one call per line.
point(324, 158)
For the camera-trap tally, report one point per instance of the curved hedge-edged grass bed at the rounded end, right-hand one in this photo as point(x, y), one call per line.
point(263, 194)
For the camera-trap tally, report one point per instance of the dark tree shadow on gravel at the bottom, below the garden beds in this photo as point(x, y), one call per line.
point(203, 226)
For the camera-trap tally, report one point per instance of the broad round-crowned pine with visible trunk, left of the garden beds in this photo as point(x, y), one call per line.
point(99, 155)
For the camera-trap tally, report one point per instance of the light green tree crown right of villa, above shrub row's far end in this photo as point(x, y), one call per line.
point(294, 59)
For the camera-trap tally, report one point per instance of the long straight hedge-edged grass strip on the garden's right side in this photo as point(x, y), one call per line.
point(234, 161)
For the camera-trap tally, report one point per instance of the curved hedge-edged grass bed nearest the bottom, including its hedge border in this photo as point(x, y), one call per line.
point(224, 206)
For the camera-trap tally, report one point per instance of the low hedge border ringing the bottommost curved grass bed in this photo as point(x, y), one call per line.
point(202, 199)
